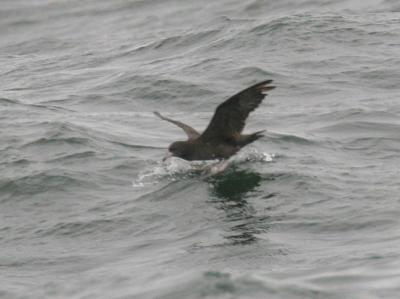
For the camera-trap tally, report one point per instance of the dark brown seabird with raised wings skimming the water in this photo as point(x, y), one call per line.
point(223, 137)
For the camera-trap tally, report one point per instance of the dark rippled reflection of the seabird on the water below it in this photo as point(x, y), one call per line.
point(229, 192)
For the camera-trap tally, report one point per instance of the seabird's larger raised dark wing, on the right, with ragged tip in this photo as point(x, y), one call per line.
point(230, 117)
